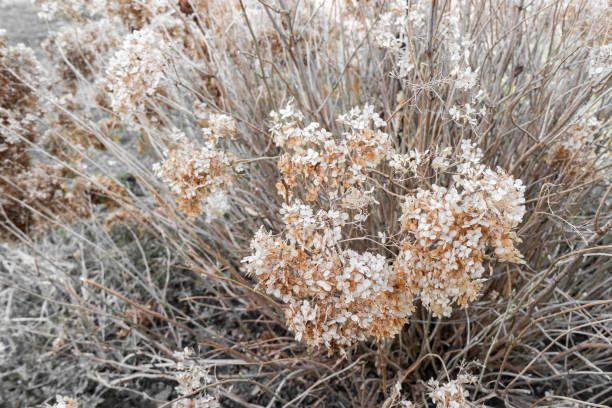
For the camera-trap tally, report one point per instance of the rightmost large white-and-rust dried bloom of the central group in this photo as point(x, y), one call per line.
point(451, 228)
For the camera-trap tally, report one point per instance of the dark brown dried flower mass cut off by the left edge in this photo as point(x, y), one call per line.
point(28, 194)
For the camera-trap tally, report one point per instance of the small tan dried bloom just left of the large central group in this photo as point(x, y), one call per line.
point(193, 173)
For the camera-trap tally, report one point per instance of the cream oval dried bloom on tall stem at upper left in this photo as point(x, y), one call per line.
point(135, 72)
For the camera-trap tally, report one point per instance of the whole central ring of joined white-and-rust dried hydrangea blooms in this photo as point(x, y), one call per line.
point(338, 291)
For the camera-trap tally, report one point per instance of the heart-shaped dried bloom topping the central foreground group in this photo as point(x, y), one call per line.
point(318, 161)
